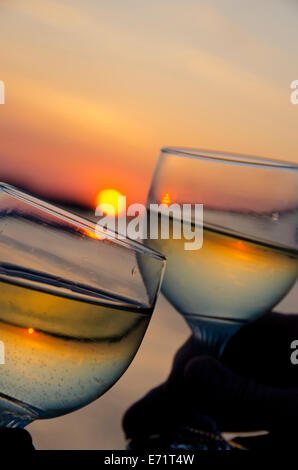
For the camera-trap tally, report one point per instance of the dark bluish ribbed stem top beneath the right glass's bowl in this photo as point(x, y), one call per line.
point(212, 335)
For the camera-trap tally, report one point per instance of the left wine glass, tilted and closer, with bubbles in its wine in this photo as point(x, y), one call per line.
point(74, 307)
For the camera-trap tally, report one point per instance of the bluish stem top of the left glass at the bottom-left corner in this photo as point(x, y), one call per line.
point(16, 414)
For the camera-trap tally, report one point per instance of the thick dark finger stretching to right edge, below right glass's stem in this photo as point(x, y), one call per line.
point(236, 402)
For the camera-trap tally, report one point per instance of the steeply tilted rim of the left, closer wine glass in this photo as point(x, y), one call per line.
point(81, 222)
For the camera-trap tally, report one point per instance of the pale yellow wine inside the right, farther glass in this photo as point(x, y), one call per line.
point(229, 278)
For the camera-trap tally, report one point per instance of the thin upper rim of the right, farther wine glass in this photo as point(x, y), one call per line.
point(229, 158)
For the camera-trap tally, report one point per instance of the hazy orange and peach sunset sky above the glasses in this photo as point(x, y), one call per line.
point(95, 88)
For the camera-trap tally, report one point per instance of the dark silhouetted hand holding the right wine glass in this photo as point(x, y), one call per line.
point(253, 387)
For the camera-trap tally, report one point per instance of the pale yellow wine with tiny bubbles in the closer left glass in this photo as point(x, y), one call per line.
point(60, 352)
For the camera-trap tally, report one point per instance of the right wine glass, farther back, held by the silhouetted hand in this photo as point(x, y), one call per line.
point(248, 260)
